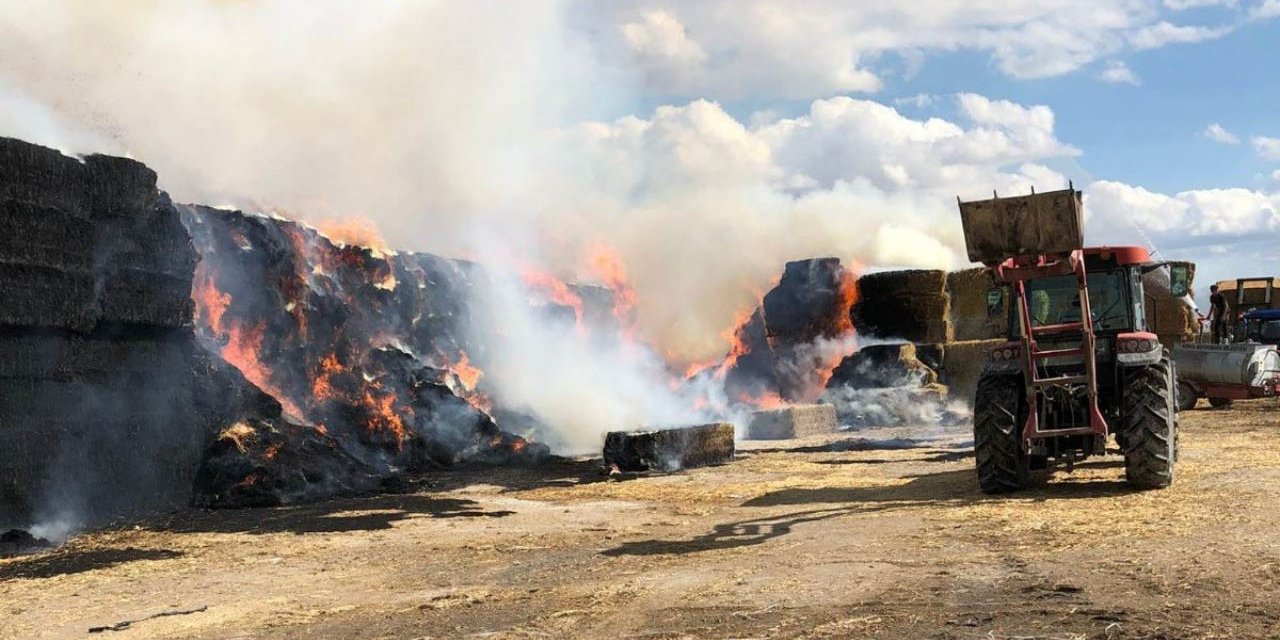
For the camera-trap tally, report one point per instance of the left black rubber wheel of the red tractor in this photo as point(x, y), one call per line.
point(998, 435)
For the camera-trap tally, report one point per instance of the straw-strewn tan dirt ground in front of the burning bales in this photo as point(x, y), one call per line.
point(870, 534)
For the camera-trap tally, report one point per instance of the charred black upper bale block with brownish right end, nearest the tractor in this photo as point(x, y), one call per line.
point(906, 305)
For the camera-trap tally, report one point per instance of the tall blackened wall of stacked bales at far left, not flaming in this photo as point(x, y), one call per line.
point(95, 336)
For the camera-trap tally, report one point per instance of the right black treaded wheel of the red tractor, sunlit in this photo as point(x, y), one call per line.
point(1150, 427)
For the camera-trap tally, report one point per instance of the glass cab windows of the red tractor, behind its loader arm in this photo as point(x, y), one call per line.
point(1055, 301)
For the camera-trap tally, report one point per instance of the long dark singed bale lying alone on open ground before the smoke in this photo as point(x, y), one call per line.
point(670, 450)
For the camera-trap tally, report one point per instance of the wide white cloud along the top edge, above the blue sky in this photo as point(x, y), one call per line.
point(752, 48)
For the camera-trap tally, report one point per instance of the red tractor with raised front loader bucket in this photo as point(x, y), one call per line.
point(1081, 363)
